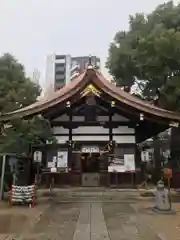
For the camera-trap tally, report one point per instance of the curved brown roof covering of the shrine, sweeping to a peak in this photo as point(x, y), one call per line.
point(78, 84)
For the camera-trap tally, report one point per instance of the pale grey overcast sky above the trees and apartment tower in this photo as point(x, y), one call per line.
point(31, 29)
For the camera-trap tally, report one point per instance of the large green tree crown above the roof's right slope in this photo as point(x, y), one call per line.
point(148, 54)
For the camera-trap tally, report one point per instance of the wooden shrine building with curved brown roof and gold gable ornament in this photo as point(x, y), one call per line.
point(97, 126)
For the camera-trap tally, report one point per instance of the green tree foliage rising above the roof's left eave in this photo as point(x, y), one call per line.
point(16, 90)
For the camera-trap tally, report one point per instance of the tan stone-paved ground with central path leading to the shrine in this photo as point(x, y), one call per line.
point(89, 215)
